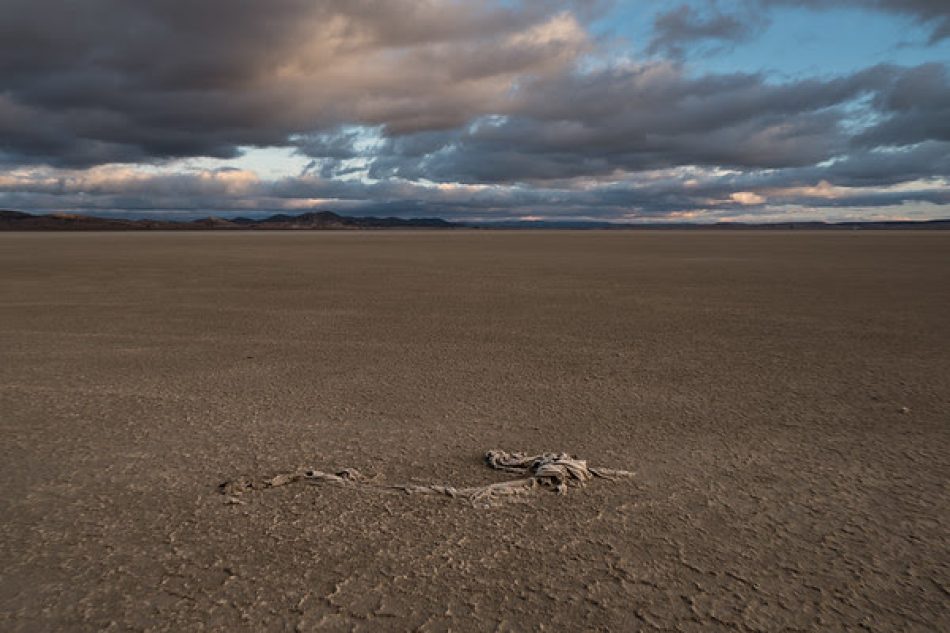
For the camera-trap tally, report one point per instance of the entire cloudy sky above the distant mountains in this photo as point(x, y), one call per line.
point(636, 111)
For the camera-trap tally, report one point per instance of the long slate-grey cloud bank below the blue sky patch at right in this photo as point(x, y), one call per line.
point(655, 115)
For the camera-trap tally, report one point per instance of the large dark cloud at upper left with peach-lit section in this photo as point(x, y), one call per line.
point(109, 80)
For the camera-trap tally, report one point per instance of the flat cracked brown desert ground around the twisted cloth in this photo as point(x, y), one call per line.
point(753, 380)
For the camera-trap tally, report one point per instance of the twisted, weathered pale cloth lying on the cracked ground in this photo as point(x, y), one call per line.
point(552, 471)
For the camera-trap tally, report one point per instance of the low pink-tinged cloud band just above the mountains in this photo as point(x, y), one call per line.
point(699, 193)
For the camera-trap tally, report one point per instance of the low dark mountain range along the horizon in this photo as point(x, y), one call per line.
point(327, 220)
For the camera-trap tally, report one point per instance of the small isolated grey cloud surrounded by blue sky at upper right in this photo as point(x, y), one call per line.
point(679, 29)
